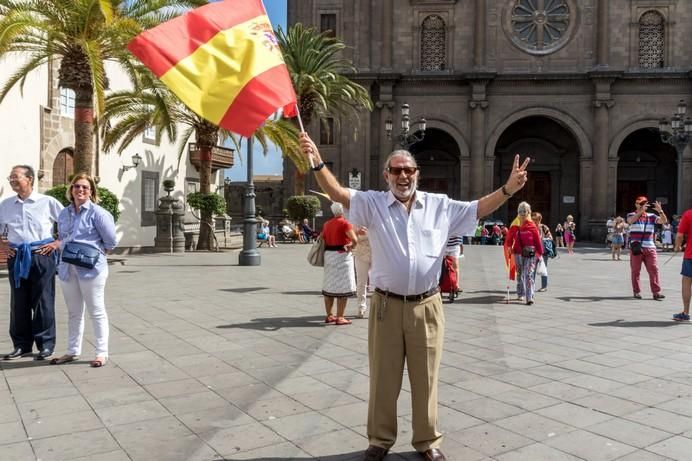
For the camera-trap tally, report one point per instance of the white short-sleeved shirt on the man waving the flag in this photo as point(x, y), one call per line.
point(408, 248)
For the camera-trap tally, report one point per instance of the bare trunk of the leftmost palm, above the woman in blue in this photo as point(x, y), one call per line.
point(84, 131)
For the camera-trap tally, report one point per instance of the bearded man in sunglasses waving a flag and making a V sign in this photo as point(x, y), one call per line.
point(408, 230)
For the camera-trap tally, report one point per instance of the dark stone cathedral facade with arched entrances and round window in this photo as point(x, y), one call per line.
point(579, 86)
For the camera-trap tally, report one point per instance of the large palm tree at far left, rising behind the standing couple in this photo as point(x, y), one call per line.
point(82, 35)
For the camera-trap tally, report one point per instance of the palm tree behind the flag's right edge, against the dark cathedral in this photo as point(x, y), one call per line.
point(317, 71)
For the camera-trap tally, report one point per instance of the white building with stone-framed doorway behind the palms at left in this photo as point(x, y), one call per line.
point(38, 130)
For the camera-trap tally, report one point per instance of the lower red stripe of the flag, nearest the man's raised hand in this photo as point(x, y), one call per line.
point(261, 97)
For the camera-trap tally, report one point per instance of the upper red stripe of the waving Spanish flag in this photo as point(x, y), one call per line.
point(167, 44)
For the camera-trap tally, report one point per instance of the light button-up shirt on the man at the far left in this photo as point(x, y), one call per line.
point(29, 220)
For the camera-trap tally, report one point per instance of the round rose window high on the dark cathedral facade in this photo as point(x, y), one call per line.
point(540, 27)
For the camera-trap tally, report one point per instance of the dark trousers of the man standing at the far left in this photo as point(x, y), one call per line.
point(32, 305)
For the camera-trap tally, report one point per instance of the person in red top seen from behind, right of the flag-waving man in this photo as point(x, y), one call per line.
point(526, 245)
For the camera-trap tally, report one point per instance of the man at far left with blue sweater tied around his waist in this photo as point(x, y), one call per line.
point(28, 218)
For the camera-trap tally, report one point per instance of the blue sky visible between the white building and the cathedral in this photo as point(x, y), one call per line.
point(271, 164)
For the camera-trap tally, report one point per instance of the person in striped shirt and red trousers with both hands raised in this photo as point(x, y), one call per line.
point(642, 229)
